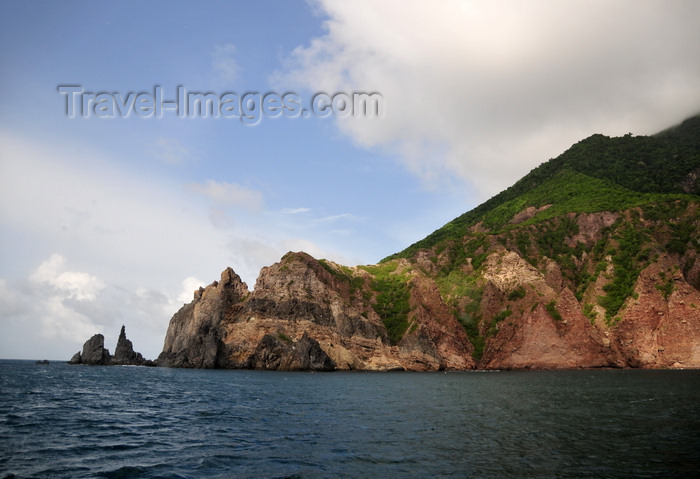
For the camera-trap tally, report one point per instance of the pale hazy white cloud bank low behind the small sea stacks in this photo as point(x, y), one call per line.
point(102, 247)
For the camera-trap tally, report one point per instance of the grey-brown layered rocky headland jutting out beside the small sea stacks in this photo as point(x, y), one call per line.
point(307, 314)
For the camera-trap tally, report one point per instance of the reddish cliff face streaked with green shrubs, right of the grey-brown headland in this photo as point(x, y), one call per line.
point(619, 293)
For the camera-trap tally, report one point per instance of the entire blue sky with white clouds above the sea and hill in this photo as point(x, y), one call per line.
point(116, 214)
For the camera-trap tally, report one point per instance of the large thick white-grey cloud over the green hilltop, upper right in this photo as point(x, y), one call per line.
point(485, 90)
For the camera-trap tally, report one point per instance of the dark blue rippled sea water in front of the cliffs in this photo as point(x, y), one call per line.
point(74, 421)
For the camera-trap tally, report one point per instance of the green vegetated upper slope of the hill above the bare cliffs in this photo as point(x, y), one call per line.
point(596, 174)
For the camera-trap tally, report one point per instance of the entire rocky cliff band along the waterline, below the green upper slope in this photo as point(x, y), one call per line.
point(580, 291)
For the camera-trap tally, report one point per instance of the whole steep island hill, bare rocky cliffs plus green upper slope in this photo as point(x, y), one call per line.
point(590, 260)
